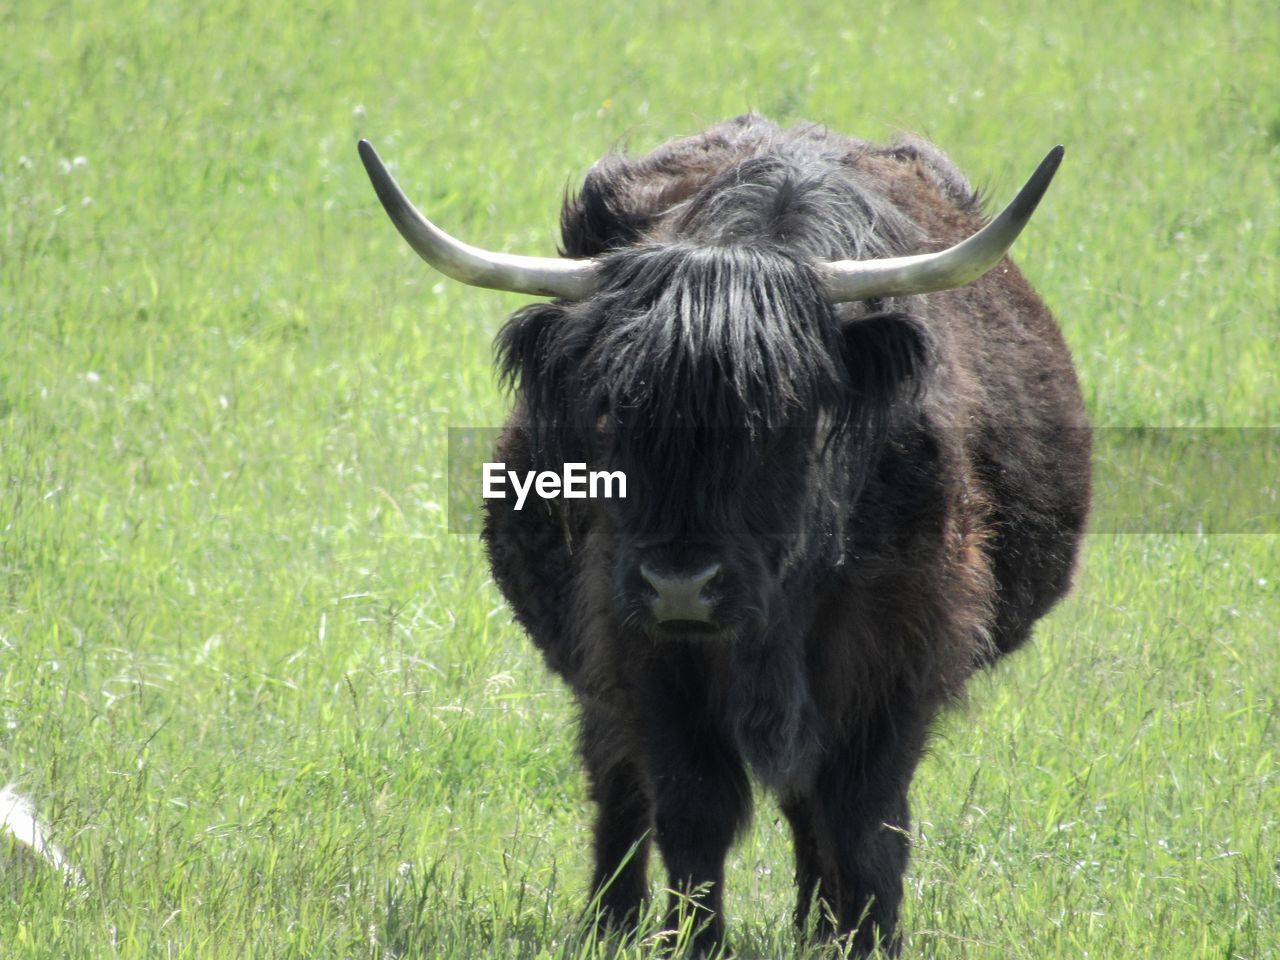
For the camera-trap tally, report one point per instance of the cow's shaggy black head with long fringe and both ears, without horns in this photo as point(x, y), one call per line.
point(737, 403)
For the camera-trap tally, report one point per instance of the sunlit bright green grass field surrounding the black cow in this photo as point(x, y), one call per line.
point(271, 707)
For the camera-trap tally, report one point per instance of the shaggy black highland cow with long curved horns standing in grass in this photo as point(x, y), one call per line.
point(856, 477)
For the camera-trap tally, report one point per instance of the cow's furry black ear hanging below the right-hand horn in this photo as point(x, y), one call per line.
point(886, 354)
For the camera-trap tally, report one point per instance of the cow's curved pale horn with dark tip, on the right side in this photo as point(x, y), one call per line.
point(956, 267)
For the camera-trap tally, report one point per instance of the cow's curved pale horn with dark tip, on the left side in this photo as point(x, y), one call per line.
point(542, 277)
